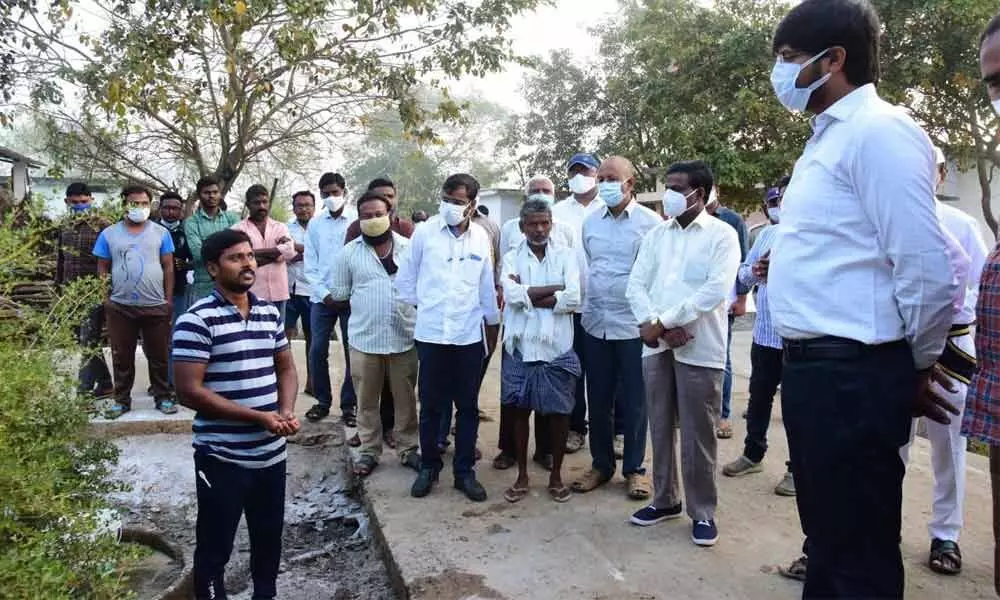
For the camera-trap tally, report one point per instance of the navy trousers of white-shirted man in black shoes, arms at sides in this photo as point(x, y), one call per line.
point(449, 375)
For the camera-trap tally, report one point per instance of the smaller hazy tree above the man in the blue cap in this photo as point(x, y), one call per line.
point(564, 114)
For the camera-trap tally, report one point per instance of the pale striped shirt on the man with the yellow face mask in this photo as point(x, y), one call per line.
point(380, 323)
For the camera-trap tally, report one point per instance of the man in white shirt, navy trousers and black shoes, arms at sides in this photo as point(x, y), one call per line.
point(449, 278)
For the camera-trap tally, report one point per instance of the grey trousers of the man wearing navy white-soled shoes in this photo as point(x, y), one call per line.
point(678, 392)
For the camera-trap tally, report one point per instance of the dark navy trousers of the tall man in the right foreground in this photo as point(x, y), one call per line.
point(847, 410)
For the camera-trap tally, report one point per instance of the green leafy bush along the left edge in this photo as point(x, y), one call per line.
point(53, 475)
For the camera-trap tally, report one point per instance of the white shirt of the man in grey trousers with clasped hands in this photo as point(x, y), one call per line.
point(682, 278)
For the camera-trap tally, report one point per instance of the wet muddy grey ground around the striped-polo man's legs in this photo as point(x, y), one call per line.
point(328, 551)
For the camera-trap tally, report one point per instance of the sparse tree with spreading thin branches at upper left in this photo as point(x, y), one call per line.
point(212, 85)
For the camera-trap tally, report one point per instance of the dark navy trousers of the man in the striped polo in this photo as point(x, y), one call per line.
point(225, 492)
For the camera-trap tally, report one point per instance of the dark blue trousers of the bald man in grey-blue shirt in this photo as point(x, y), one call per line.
point(615, 366)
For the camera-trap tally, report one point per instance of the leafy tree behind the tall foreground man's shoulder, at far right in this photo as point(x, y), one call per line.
point(930, 58)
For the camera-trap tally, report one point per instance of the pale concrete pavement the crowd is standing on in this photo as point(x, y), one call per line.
point(447, 548)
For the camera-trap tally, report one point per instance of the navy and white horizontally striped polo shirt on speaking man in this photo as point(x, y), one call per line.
point(240, 357)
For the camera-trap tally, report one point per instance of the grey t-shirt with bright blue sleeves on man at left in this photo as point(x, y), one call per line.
point(136, 273)
